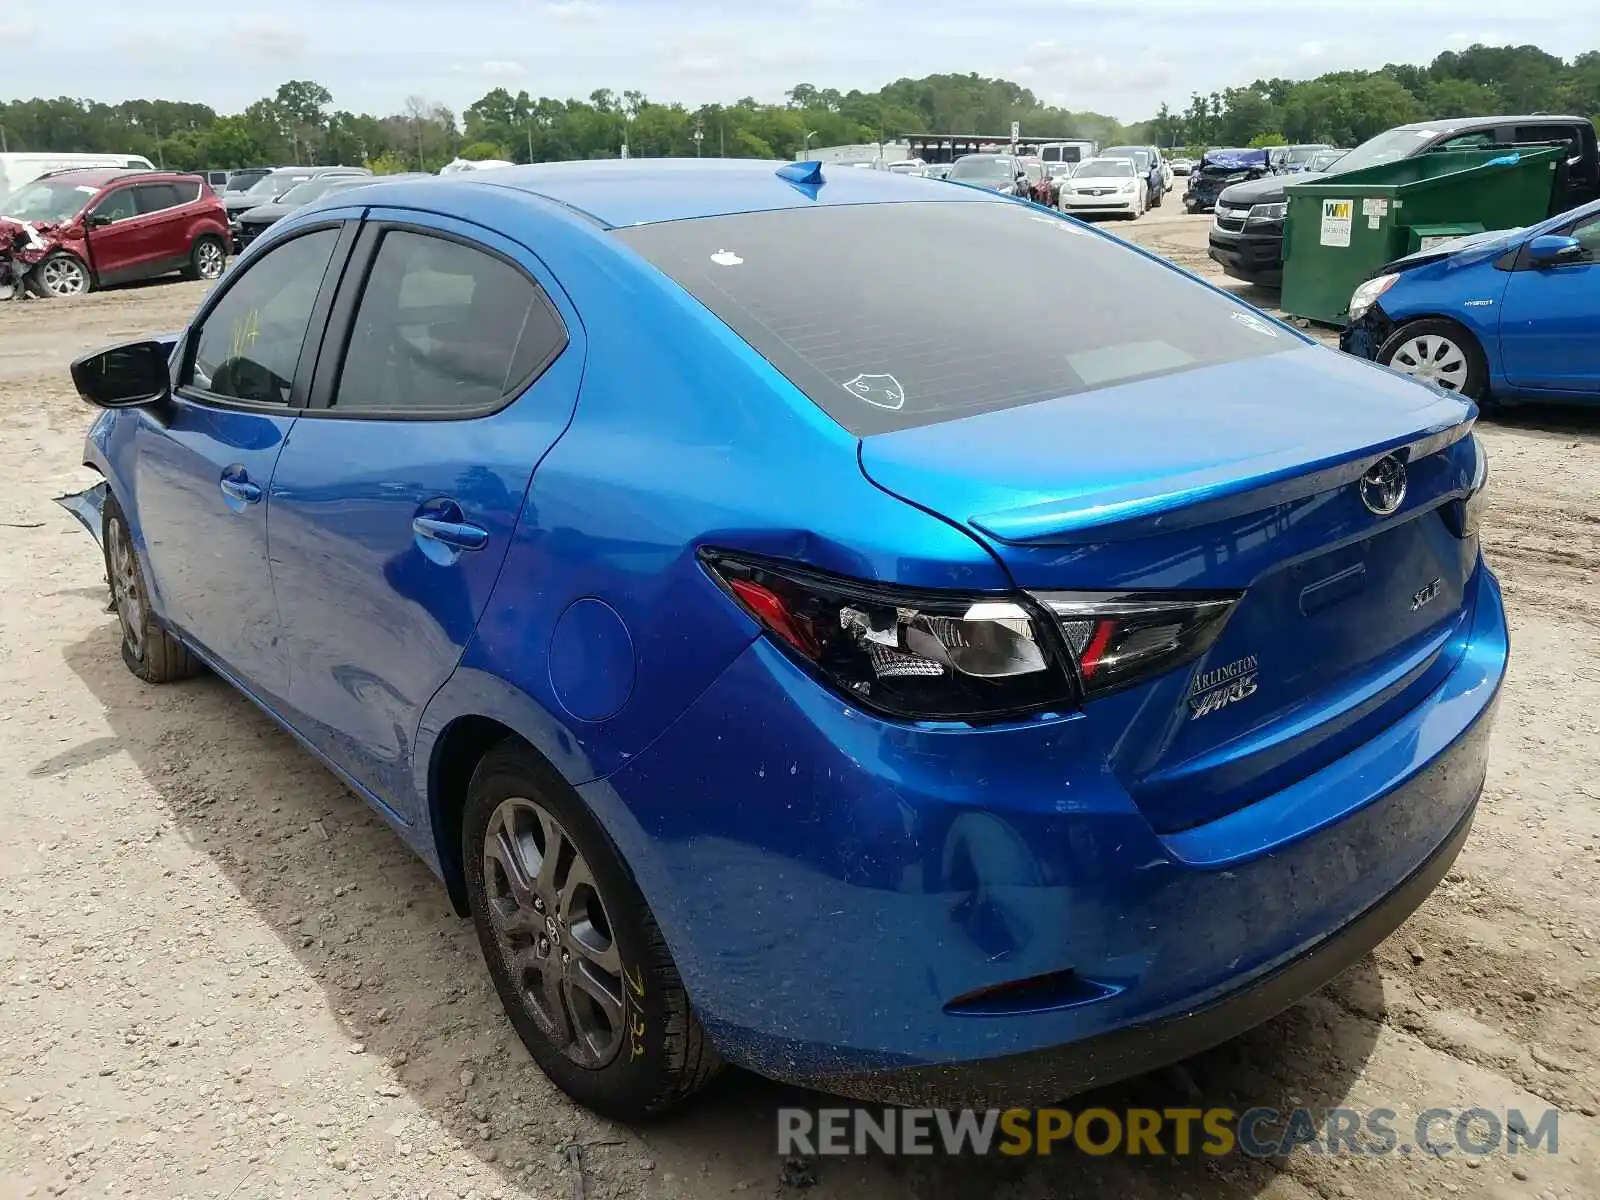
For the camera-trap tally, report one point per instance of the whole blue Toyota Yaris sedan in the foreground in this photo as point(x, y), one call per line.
point(798, 647)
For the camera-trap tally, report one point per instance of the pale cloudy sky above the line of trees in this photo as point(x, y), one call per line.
point(1116, 57)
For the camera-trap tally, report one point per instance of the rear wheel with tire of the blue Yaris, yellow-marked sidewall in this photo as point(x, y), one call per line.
point(575, 953)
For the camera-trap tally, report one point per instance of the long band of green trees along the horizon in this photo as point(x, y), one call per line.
point(302, 124)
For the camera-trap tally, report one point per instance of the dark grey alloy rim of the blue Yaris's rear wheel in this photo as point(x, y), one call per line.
point(553, 932)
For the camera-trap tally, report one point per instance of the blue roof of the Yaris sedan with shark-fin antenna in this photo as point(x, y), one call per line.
point(644, 191)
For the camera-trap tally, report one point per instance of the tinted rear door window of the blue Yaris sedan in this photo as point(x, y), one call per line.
point(444, 330)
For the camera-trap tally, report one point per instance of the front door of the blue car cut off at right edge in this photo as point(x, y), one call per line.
point(1551, 321)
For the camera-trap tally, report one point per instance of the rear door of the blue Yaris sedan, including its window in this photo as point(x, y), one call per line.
point(398, 495)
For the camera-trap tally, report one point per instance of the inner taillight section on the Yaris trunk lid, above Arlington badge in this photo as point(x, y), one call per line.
point(1121, 639)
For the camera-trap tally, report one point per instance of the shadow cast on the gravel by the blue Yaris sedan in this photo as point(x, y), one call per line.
point(370, 926)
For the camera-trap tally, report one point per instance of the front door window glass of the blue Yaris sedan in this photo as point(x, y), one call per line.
point(252, 340)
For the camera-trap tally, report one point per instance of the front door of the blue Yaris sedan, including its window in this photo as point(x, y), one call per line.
point(206, 462)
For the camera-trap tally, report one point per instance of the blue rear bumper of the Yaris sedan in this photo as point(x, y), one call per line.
point(830, 884)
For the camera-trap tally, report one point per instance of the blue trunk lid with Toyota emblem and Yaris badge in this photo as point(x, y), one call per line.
point(1238, 478)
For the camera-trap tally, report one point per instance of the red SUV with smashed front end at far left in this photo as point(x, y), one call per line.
point(100, 226)
